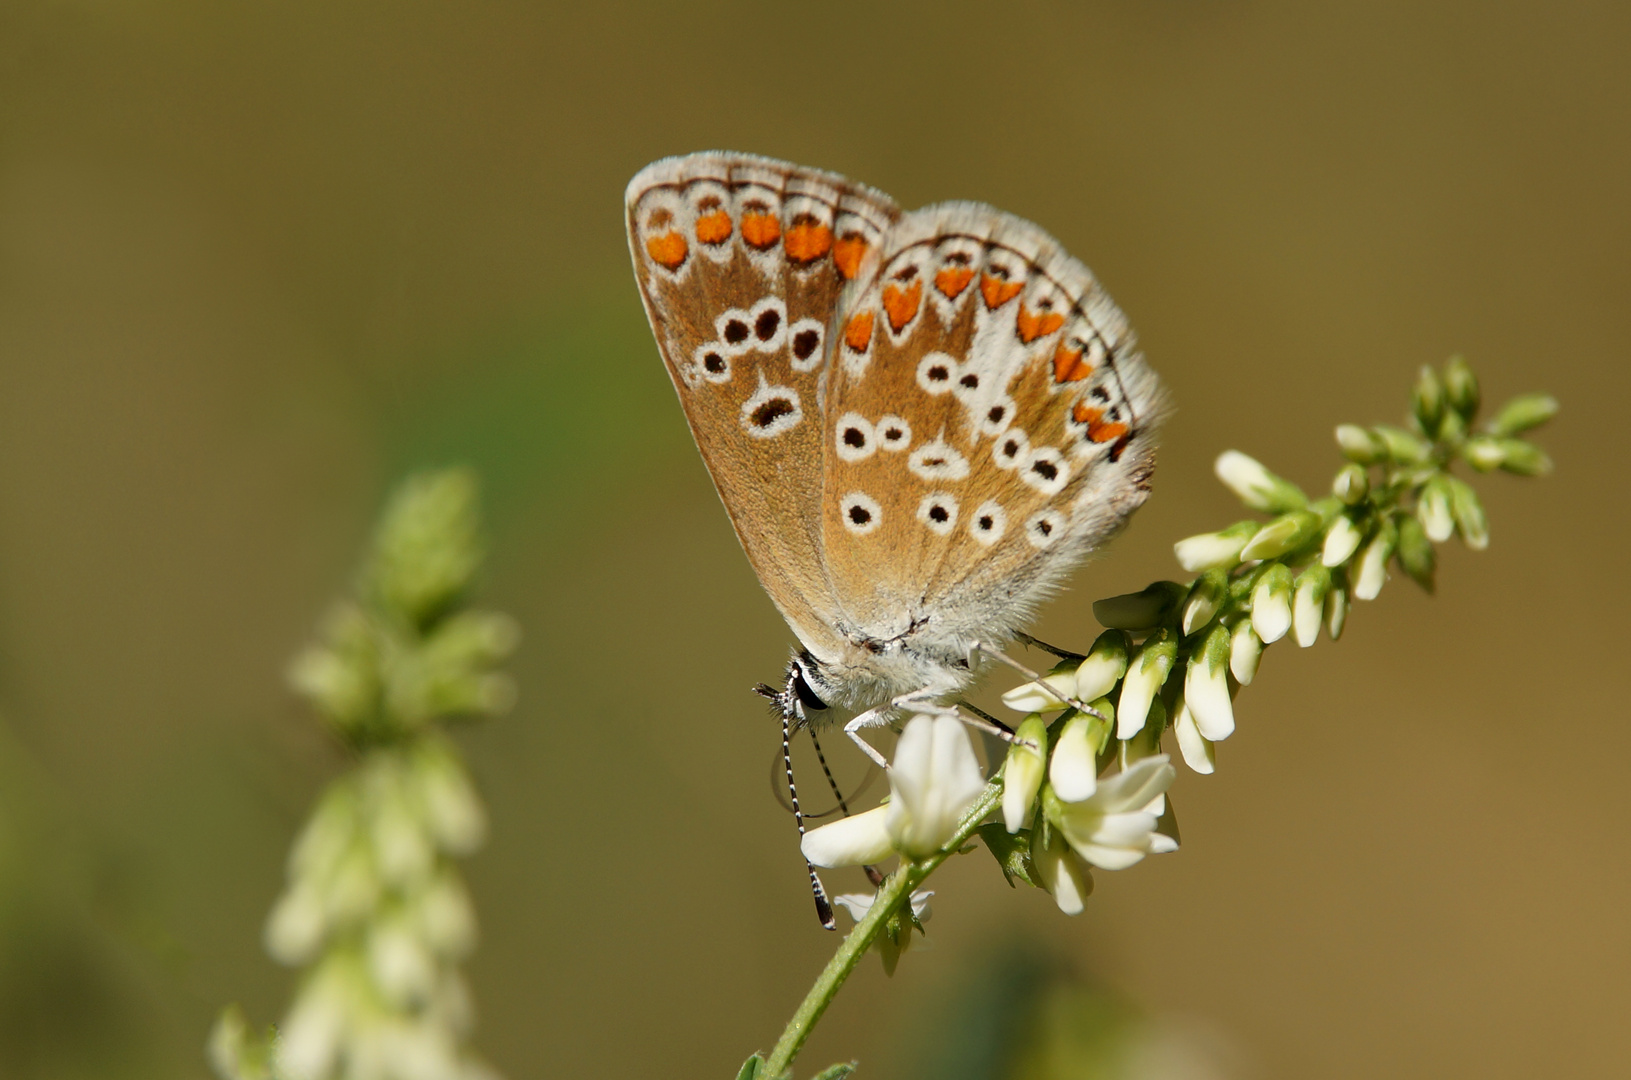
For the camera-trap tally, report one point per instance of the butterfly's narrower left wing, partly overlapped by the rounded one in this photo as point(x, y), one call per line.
point(741, 263)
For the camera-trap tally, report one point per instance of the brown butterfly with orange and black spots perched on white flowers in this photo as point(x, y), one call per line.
point(919, 422)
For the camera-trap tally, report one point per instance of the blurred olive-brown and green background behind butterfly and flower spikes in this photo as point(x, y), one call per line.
point(257, 260)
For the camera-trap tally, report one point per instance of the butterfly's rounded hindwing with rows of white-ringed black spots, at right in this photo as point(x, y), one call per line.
point(989, 423)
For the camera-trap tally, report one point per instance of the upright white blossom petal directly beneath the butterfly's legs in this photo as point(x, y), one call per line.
point(934, 781)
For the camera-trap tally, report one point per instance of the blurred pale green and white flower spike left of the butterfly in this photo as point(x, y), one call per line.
point(374, 910)
